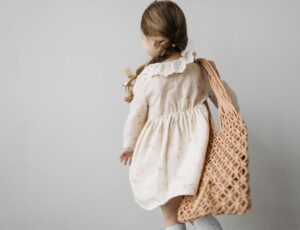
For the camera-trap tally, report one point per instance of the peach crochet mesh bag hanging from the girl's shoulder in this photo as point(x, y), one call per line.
point(224, 185)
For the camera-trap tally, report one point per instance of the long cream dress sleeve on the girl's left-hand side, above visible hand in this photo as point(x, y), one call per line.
point(137, 116)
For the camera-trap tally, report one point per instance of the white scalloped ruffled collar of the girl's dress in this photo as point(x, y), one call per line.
point(169, 67)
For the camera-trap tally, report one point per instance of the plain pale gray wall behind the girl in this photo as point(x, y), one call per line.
point(62, 109)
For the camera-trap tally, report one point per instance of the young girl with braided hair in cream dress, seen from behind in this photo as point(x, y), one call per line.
point(166, 132)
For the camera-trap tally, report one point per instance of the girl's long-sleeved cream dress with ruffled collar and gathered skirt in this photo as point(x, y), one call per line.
point(167, 129)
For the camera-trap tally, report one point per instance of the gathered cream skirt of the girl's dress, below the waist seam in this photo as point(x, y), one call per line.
point(169, 156)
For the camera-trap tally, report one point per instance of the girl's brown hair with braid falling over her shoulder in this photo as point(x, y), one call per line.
point(166, 20)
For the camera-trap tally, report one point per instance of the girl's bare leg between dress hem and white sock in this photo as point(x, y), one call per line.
point(169, 211)
